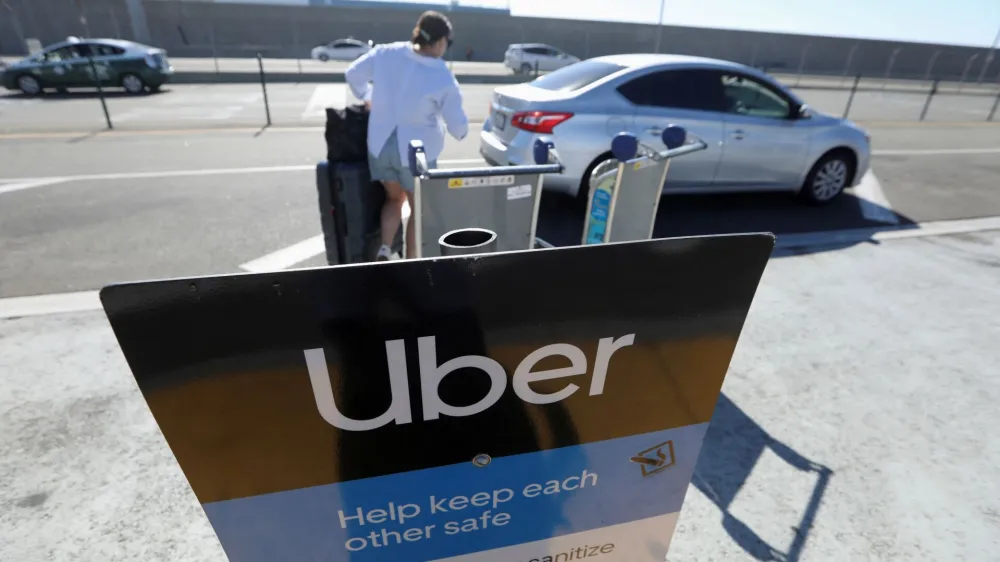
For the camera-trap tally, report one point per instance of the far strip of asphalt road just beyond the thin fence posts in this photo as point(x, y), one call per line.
point(303, 104)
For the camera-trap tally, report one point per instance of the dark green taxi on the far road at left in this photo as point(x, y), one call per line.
point(132, 66)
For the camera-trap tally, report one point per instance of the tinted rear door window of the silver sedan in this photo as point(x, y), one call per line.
point(677, 89)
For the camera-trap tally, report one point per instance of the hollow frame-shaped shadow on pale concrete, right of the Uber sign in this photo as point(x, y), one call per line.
point(732, 447)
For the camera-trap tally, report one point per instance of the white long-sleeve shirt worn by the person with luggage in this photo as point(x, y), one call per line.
point(416, 95)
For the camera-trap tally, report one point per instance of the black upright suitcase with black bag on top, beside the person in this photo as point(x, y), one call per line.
point(350, 203)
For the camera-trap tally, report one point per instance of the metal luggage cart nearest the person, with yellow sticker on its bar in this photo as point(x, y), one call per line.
point(502, 199)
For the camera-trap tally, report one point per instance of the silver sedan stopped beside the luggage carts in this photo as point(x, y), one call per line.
point(760, 135)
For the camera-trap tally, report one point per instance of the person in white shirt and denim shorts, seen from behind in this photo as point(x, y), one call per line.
point(413, 97)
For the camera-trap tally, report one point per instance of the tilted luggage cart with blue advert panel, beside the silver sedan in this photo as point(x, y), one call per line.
point(629, 187)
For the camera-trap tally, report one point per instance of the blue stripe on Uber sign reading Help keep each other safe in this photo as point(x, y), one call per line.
point(461, 509)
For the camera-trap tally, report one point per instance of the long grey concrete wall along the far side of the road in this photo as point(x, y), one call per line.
point(240, 30)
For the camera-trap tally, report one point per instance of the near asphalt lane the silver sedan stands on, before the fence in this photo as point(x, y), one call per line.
point(126, 206)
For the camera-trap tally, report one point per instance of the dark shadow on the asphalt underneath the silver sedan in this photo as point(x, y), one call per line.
point(560, 219)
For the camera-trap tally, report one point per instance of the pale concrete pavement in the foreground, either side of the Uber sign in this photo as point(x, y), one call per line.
point(856, 423)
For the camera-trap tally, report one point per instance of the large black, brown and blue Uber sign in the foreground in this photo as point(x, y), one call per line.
point(546, 405)
